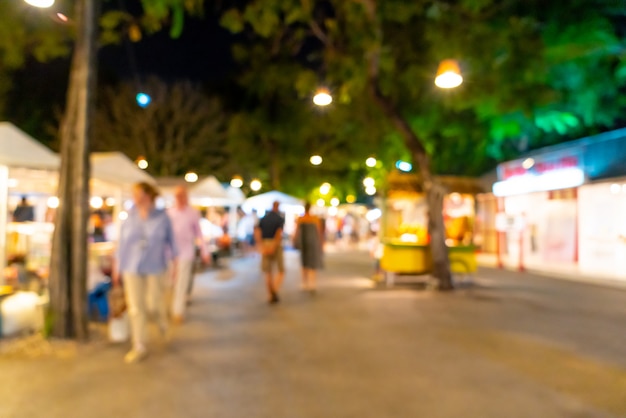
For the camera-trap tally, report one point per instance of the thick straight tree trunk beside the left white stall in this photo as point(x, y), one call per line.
point(68, 266)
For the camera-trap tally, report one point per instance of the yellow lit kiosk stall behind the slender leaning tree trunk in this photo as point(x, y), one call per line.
point(404, 226)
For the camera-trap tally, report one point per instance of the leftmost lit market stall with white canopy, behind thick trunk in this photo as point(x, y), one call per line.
point(27, 182)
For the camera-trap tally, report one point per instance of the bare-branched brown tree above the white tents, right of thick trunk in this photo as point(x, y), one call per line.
point(182, 128)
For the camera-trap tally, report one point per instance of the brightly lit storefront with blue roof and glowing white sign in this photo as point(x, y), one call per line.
point(561, 209)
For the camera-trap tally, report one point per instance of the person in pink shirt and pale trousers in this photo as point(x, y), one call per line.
point(187, 234)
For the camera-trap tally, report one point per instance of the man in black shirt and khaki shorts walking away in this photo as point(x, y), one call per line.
point(269, 236)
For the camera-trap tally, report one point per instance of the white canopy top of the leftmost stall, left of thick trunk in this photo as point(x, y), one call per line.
point(17, 149)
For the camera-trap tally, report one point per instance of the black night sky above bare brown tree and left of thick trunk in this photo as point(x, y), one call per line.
point(201, 54)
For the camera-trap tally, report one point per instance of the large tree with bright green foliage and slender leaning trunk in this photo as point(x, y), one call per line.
point(391, 49)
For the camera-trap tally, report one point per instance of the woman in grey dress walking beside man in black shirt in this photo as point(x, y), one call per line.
point(309, 240)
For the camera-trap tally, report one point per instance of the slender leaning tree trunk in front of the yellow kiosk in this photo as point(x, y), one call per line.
point(434, 191)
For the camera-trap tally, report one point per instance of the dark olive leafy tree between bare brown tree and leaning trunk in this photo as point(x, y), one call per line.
point(277, 121)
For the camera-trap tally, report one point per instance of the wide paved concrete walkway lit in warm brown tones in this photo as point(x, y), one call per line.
point(511, 345)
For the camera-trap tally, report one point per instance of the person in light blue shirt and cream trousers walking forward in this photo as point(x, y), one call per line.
point(145, 248)
